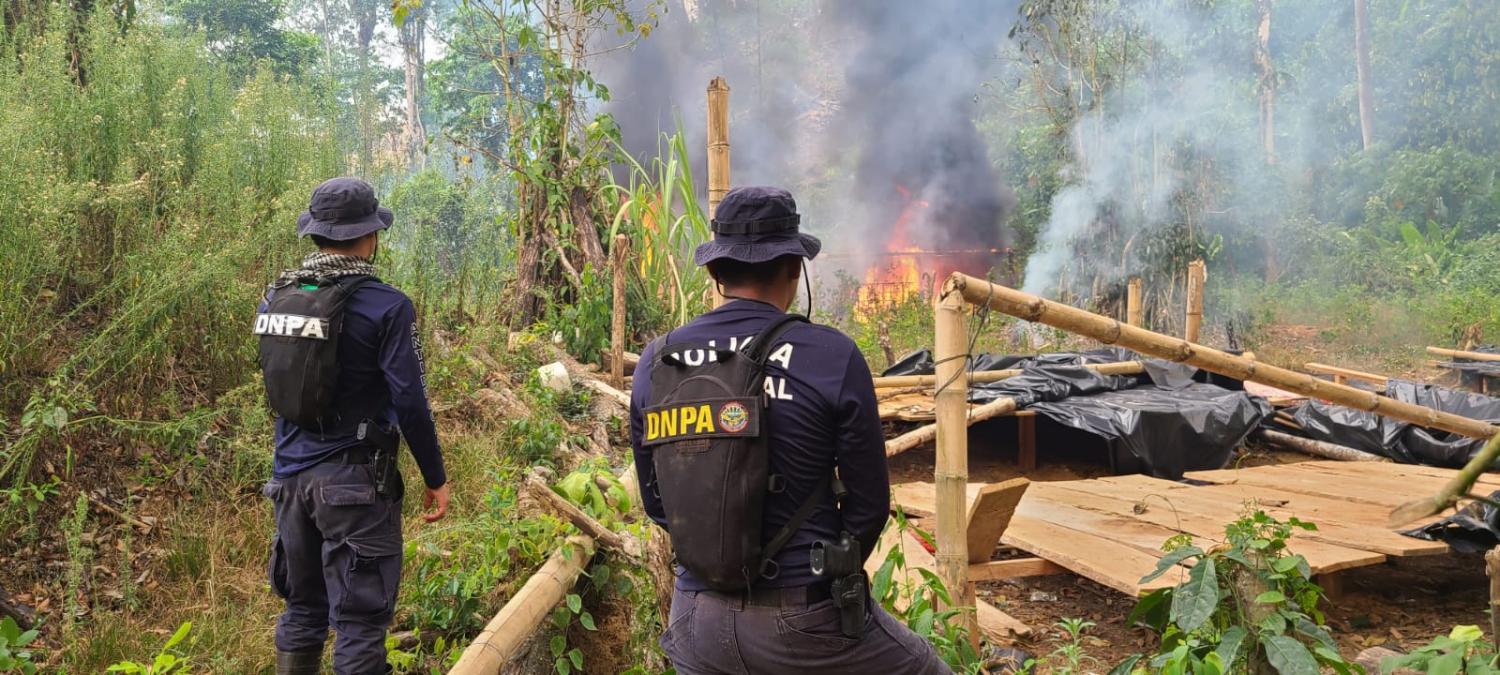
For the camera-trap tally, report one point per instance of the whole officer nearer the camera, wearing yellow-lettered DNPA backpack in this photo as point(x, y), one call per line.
point(758, 446)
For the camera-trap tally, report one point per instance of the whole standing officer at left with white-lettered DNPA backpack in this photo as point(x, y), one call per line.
point(337, 493)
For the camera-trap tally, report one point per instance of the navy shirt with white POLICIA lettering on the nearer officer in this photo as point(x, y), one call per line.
point(823, 416)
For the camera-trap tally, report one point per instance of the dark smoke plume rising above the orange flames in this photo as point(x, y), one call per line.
point(839, 101)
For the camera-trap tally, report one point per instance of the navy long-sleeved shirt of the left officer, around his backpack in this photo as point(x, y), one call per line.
point(382, 376)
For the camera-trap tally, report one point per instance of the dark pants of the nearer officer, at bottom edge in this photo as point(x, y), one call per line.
point(713, 634)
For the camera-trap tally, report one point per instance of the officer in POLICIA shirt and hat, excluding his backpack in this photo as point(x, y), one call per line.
point(823, 419)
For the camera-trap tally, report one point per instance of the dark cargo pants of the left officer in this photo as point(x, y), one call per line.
point(337, 562)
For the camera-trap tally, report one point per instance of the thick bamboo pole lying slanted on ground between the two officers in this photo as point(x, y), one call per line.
point(515, 623)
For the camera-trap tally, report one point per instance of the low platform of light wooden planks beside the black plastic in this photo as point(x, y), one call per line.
point(1111, 530)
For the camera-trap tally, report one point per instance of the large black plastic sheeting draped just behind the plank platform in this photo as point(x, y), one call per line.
point(1165, 422)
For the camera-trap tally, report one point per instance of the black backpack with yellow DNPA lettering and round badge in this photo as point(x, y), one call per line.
point(710, 445)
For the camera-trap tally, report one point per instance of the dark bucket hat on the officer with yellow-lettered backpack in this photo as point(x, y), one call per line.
point(757, 226)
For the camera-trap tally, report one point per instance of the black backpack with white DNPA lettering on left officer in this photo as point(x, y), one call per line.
point(301, 347)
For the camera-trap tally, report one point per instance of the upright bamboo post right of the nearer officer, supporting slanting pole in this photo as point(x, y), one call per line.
point(952, 476)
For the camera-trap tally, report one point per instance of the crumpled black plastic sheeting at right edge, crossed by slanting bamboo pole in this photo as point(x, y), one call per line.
point(1402, 440)
